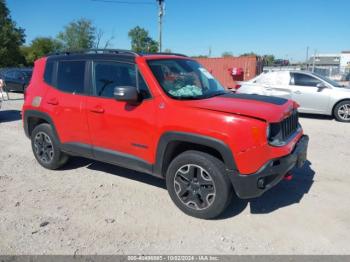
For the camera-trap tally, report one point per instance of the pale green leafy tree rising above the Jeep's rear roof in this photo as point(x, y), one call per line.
point(79, 34)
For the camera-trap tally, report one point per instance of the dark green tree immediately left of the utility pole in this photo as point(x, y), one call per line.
point(141, 41)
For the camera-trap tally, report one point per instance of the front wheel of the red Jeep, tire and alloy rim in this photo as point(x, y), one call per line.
point(198, 184)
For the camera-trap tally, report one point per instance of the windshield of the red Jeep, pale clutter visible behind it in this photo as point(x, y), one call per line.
point(185, 79)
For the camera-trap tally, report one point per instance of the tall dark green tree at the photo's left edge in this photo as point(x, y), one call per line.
point(11, 38)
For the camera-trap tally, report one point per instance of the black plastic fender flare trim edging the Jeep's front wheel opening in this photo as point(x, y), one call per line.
point(211, 142)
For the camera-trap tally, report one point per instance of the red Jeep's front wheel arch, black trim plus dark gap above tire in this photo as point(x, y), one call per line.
point(171, 144)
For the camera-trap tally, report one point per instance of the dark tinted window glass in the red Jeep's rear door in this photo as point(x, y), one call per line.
point(71, 76)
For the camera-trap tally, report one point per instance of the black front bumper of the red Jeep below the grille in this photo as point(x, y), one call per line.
point(254, 185)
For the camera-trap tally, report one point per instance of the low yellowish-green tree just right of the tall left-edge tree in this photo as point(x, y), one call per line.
point(39, 47)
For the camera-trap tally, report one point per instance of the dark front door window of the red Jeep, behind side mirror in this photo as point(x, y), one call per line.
point(109, 75)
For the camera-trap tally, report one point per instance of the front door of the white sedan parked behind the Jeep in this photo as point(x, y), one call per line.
point(310, 98)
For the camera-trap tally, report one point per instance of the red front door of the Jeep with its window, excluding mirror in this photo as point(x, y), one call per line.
point(121, 132)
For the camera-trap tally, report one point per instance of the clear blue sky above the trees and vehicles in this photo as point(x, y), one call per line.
point(283, 28)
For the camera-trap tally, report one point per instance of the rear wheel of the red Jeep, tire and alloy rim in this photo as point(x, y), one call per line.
point(46, 147)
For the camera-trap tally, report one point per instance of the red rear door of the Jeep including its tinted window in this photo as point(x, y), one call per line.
point(66, 103)
